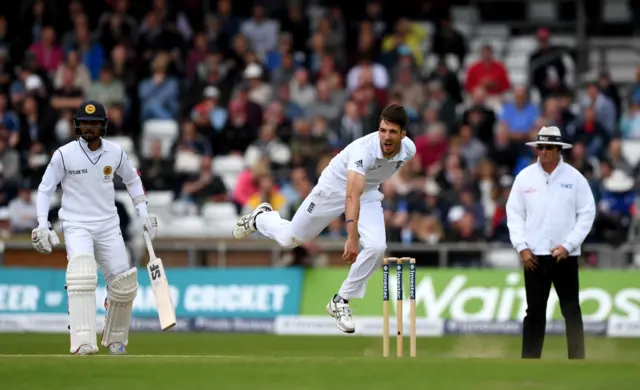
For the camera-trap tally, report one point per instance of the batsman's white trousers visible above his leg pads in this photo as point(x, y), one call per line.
point(103, 240)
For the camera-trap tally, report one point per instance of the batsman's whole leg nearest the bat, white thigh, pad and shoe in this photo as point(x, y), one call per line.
point(122, 285)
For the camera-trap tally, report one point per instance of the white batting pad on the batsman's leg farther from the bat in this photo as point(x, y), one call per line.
point(82, 280)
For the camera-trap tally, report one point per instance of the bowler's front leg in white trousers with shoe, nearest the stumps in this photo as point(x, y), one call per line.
point(373, 243)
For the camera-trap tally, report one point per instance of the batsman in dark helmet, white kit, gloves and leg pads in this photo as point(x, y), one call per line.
point(85, 169)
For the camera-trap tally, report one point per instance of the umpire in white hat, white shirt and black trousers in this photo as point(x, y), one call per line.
point(550, 211)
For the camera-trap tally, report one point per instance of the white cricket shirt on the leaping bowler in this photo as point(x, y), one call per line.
point(364, 156)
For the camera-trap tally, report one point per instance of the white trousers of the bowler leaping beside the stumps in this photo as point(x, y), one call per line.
point(321, 207)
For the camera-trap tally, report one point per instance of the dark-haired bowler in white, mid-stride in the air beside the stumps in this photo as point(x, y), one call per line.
point(349, 185)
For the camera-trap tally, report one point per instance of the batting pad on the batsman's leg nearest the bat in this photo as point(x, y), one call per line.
point(121, 293)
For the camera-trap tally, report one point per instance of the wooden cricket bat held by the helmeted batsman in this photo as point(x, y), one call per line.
point(160, 286)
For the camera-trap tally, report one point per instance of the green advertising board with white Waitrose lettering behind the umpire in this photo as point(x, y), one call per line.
point(480, 295)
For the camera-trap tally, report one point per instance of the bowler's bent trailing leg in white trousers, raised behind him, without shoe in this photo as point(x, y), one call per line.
point(313, 215)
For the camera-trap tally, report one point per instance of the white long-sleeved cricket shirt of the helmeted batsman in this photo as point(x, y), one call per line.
point(86, 178)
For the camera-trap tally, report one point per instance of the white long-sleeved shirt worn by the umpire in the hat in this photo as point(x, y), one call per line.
point(545, 210)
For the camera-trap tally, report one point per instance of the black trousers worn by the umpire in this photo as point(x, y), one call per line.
point(564, 276)
